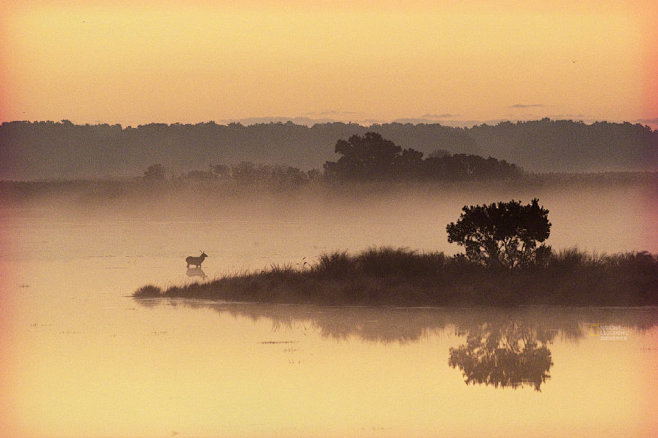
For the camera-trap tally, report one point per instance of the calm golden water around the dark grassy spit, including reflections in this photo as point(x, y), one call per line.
point(83, 359)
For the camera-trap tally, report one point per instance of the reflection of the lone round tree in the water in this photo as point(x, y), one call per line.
point(507, 354)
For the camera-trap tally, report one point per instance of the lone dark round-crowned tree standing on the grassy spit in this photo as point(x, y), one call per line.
point(503, 233)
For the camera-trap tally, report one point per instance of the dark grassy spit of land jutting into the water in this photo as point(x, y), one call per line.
point(401, 277)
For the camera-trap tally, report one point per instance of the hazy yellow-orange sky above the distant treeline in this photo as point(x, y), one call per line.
point(193, 61)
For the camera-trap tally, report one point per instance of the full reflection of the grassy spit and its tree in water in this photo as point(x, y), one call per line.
point(505, 348)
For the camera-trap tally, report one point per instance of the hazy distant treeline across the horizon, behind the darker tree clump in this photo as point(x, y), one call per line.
point(39, 150)
